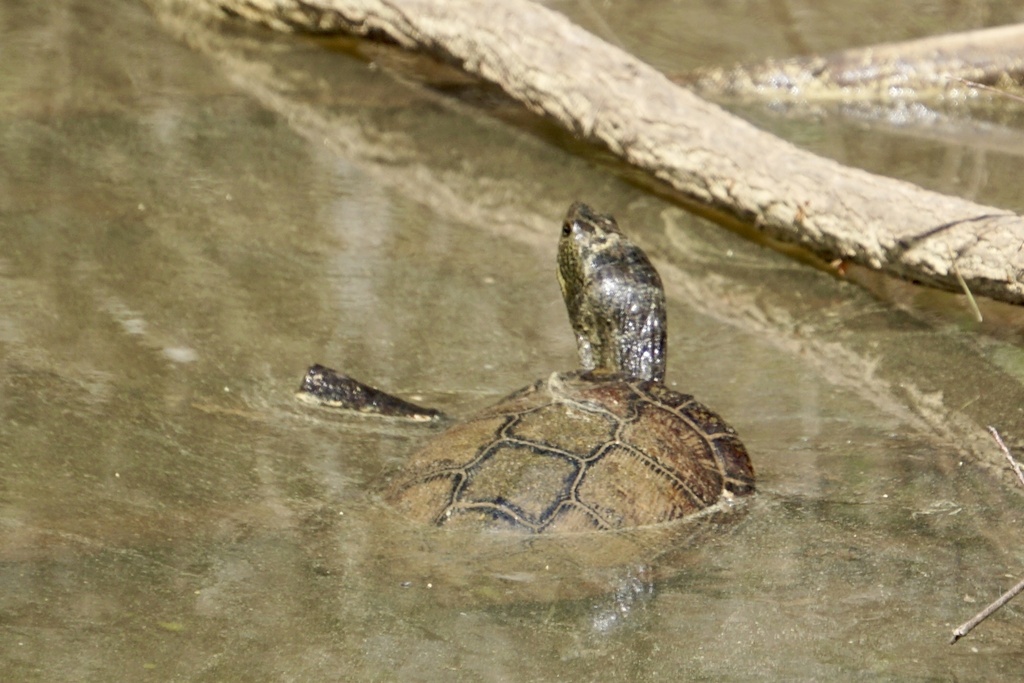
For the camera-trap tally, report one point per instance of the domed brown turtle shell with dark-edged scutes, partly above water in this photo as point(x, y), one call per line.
point(577, 452)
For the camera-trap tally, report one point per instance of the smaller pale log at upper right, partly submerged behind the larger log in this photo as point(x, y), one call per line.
point(928, 68)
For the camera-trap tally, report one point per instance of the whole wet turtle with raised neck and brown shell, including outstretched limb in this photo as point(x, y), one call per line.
point(605, 447)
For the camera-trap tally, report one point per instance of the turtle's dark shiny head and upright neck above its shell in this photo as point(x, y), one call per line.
point(614, 296)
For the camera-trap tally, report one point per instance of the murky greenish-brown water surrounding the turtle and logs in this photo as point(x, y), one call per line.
point(190, 219)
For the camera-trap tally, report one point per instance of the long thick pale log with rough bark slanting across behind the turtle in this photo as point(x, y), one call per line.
point(607, 96)
